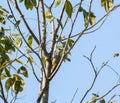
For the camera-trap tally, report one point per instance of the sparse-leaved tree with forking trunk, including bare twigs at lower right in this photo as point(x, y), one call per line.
point(44, 47)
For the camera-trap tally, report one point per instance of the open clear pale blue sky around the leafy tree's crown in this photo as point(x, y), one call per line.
point(78, 72)
